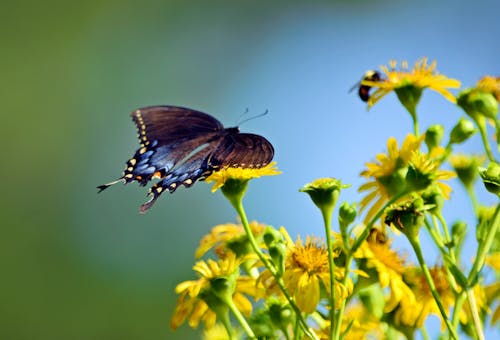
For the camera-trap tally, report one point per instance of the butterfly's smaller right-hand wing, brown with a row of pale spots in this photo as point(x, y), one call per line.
point(242, 150)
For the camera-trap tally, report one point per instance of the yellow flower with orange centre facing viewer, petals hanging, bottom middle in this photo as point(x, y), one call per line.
point(306, 270)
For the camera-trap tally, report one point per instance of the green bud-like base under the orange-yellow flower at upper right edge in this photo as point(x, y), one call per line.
point(478, 103)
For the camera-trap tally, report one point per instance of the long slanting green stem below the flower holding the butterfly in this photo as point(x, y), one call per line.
point(237, 203)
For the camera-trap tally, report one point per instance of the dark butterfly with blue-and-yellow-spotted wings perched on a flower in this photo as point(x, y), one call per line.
point(180, 146)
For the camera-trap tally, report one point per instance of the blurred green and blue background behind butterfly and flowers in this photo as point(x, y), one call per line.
point(76, 265)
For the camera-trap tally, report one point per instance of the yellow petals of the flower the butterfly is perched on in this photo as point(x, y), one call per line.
point(242, 174)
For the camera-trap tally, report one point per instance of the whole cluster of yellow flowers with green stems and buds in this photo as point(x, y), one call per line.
point(256, 281)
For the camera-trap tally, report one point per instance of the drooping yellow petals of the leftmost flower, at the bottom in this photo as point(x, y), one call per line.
point(197, 299)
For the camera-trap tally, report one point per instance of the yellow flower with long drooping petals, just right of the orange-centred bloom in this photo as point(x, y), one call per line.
point(388, 266)
